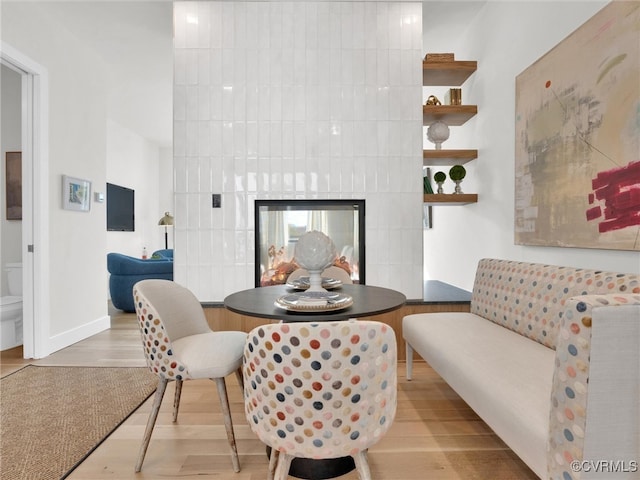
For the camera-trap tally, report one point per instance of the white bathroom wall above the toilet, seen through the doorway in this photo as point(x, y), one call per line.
point(10, 141)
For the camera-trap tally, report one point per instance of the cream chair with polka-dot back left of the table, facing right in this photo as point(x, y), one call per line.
point(179, 345)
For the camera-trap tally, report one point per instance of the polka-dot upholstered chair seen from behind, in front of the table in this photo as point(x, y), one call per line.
point(320, 390)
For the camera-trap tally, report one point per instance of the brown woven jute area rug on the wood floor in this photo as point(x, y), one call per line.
point(52, 418)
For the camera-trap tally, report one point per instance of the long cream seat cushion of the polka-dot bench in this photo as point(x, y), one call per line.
point(503, 376)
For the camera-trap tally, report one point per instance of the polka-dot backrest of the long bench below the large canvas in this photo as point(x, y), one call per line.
point(529, 298)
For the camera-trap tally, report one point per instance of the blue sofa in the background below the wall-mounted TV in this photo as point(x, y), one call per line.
point(126, 271)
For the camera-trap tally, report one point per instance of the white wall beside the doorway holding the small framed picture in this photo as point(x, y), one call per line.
point(77, 148)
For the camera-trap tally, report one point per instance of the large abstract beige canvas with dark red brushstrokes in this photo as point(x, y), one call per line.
point(578, 138)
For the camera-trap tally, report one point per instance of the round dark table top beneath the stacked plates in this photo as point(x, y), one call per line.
point(367, 300)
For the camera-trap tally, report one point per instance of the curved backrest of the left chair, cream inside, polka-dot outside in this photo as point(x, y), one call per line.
point(166, 312)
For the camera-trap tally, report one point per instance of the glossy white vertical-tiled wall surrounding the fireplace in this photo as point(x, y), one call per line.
point(277, 100)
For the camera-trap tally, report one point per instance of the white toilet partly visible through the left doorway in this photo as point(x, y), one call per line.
point(11, 309)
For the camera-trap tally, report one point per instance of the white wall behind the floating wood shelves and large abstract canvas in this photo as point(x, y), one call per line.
point(505, 38)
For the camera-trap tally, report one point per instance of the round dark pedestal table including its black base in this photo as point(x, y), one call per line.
point(367, 301)
